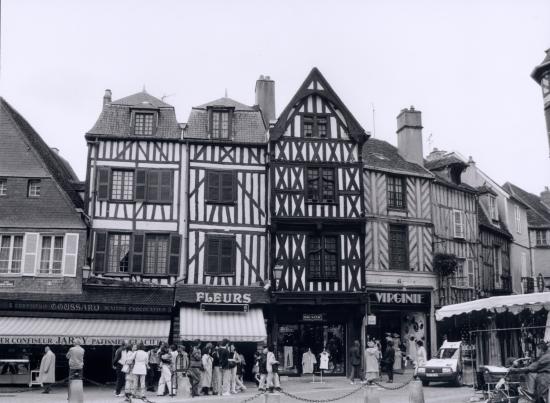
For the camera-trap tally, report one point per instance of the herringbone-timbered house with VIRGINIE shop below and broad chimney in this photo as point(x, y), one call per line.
point(399, 235)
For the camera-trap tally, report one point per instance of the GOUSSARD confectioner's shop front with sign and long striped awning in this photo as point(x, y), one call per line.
point(102, 318)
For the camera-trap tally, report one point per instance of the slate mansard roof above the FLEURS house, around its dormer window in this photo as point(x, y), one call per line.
point(247, 125)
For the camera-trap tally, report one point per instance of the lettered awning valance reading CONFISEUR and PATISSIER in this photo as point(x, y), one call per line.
point(85, 340)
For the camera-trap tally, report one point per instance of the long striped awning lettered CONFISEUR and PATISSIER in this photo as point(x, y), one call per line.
point(27, 330)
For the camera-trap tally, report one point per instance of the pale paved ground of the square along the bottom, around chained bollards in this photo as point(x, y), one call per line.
point(334, 387)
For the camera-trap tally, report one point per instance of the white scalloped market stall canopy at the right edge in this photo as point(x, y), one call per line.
point(511, 303)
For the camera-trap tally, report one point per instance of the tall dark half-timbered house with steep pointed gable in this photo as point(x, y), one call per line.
point(317, 227)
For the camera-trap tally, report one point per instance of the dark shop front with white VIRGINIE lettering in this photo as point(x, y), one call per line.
point(403, 316)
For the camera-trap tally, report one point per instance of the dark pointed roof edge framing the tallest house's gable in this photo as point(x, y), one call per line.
point(324, 90)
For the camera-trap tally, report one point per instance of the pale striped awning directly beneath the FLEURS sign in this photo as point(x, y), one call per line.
point(215, 326)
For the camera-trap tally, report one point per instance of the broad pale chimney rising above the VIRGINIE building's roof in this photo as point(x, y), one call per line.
point(409, 135)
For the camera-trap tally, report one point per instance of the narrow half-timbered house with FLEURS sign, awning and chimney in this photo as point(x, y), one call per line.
point(227, 259)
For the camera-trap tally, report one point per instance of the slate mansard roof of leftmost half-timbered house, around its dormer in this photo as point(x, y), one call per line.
point(115, 118)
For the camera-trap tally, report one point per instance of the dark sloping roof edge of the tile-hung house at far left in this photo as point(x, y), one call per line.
point(58, 167)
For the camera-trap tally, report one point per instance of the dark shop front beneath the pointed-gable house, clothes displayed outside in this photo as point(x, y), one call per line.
point(305, 326)
